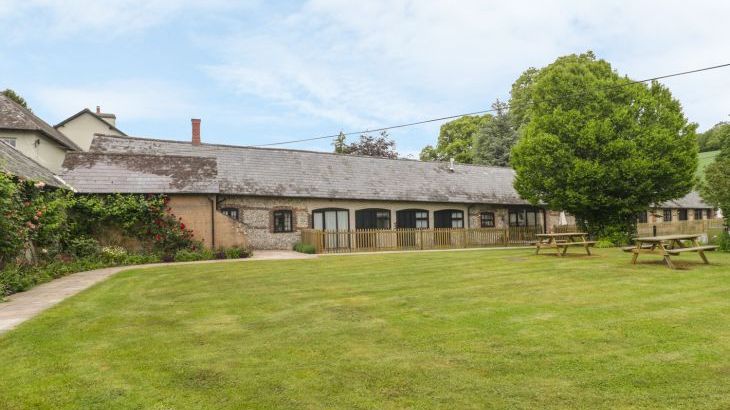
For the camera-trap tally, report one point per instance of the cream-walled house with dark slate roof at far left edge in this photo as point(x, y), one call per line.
point(32, 136)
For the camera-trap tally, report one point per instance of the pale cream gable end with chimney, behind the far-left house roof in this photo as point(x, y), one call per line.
point(82, 126)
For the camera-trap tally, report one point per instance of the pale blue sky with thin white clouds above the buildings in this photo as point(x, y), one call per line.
point(259, 72)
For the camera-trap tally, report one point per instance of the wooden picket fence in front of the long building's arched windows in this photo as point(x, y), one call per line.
point(367, 240)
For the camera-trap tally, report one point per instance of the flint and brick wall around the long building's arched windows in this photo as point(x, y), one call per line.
point(256, 215)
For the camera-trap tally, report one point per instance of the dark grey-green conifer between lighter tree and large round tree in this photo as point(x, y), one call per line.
point(495, 139)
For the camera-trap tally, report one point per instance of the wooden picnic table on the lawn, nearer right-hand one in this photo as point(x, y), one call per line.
point(669, 245)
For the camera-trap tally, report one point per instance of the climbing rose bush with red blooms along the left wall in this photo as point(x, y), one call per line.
point(52, 222)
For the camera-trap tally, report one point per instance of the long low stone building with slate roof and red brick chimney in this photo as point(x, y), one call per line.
point(268, 195)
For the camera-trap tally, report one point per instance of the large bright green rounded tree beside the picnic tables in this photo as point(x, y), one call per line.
point(599, 146)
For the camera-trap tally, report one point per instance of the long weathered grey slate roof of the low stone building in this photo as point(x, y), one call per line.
point(128, 164)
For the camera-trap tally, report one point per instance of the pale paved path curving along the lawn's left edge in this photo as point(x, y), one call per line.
point(22, 306)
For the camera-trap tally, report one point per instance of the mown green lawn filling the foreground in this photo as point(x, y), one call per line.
point(473, 329)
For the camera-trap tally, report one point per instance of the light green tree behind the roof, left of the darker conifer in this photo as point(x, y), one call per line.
point(456, 140)
